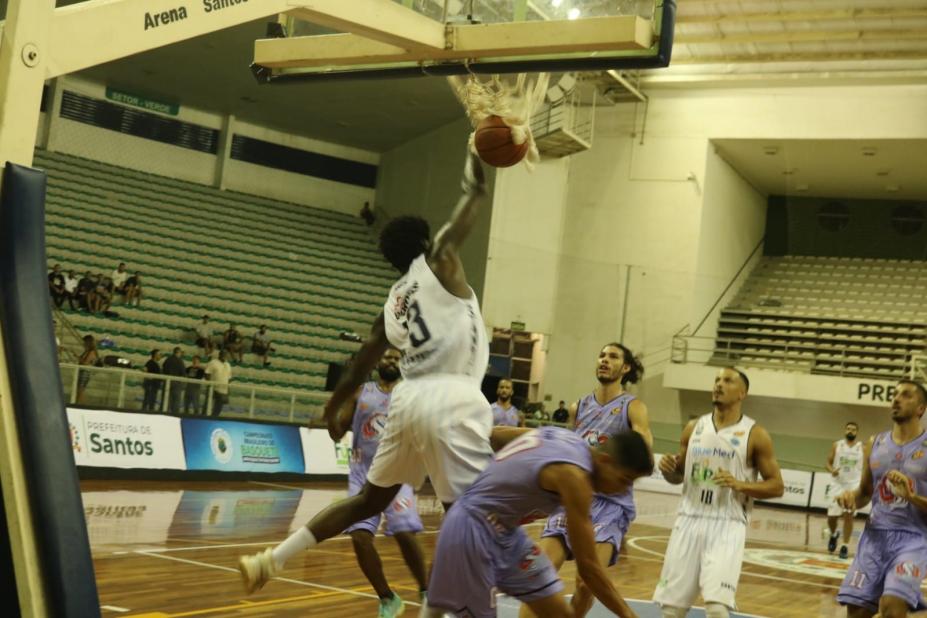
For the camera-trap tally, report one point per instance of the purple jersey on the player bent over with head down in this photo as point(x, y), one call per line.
point(507, 492)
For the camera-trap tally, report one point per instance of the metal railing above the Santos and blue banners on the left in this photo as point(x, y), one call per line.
point(125, 389)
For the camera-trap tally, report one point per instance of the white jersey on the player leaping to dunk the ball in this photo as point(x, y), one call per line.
point(437, 332)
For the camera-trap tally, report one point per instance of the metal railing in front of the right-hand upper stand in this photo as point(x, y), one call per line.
point(819, 357)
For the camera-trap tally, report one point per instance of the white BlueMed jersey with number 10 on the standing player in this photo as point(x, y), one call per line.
point(711, 450)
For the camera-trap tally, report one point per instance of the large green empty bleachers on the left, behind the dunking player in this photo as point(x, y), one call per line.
point(308, 274)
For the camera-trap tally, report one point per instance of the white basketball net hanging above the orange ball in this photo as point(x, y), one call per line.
point(513, 103)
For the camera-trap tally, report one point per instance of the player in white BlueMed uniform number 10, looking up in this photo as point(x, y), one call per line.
point(717, 463)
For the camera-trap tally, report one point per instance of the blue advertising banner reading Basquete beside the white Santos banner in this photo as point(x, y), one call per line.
point(241, 447)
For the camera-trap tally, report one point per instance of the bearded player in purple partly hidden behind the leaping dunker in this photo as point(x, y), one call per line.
point(366, 416)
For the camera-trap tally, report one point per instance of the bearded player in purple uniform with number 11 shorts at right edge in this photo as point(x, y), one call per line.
point(891, 560)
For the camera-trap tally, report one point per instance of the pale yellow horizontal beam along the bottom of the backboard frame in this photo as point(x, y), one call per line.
point(533, 38)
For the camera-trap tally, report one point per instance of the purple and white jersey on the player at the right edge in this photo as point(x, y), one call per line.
point(890, 512)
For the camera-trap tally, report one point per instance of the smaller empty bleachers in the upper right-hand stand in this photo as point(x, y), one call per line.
point(833, 316)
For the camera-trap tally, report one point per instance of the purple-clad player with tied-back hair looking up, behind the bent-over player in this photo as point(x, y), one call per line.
point(608, 411)
